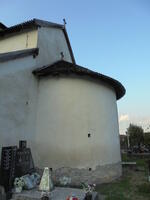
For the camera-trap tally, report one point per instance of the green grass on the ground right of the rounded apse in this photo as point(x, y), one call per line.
point(133, 185)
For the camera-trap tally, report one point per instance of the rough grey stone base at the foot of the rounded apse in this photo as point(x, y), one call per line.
point(102, 174)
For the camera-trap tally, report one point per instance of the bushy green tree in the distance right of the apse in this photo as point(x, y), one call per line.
point(136, 135)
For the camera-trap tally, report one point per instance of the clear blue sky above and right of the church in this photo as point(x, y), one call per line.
point(109, 36)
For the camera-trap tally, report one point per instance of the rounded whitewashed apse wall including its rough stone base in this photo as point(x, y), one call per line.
point(77, 131)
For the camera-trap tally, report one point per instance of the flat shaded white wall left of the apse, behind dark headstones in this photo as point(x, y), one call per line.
point(18, 97)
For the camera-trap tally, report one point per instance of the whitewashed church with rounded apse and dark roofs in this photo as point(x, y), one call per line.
point(67, 113)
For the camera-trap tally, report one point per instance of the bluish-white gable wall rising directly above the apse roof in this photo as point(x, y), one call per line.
point(51, 42)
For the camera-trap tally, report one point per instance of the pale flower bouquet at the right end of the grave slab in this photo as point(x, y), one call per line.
point(88, 188)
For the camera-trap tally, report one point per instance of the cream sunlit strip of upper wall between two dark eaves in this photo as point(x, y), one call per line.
point(19, 41)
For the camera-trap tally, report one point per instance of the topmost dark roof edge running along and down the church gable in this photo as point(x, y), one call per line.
point(35, 23)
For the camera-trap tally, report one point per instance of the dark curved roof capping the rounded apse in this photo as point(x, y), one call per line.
point(67, 68)
